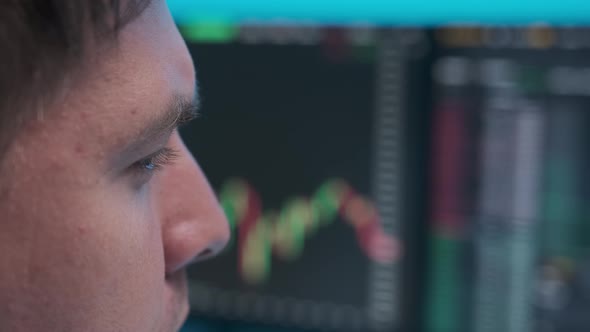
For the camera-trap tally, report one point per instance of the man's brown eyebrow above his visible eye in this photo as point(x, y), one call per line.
point(180, 110)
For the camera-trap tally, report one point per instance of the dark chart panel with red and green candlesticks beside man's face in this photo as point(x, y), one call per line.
point(296, 170)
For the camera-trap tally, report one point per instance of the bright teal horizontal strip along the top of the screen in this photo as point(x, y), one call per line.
point(383, 12)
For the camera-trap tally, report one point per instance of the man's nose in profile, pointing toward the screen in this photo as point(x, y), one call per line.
point(193, 225)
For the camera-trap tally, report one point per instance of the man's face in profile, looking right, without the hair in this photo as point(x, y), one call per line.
point(97, 218)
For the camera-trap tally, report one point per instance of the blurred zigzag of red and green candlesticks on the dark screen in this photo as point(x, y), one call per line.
point(283, 233)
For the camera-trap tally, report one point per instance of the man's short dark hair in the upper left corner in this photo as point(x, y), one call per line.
point(44, 40)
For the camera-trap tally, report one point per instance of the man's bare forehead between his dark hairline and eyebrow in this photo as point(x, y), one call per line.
point(137, 78)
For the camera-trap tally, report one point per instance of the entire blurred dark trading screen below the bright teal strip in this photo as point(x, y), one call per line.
point(395, 179)
